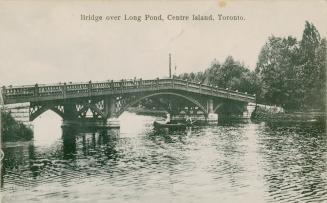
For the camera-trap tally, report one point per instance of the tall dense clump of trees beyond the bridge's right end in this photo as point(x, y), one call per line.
point(293, 73)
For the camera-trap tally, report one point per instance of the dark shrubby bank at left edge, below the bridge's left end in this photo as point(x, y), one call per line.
point(13, 130)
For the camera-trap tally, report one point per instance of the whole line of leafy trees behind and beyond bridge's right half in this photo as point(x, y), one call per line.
point(289, 73)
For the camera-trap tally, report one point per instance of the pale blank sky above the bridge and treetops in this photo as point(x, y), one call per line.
point(47, 42)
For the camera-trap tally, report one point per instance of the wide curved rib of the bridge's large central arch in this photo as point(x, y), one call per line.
point(192, 100)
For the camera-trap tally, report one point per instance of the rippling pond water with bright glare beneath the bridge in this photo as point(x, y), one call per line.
point(235, 162)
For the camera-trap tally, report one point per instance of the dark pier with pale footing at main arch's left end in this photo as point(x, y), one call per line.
point(110, 111)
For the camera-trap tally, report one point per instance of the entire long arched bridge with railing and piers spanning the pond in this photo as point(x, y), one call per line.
point(105, 101)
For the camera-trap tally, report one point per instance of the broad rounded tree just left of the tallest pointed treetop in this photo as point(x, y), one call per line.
point(277, 71)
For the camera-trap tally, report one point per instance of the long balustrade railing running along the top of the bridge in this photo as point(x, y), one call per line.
point(64, 90)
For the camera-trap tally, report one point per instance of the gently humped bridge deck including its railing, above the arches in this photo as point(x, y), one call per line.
point(37, 93)
